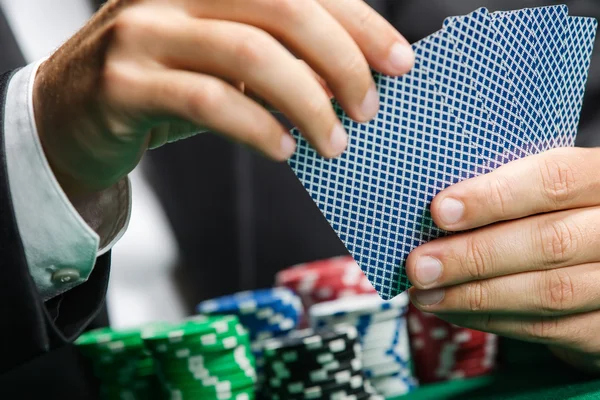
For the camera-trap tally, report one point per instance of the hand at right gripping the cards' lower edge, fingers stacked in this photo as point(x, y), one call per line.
point(528, 266)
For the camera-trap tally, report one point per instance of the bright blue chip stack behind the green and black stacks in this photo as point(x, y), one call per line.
point(266, 313)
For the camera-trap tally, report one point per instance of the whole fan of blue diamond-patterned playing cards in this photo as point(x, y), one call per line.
point(486, 89)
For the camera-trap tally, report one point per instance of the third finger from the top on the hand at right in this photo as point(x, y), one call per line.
point(555, 292)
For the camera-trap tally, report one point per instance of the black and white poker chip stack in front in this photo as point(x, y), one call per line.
point(322, 364)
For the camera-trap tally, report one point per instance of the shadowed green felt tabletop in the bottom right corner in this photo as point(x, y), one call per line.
point(527, 372)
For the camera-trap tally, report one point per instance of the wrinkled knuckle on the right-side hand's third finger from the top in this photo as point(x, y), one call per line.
point(557, 292)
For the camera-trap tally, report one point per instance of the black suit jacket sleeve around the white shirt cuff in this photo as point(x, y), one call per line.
point(30, 327)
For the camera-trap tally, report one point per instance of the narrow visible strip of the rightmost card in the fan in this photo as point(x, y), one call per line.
point(579, 45)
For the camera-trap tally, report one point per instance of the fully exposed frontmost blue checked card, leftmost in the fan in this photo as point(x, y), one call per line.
point(376, 196)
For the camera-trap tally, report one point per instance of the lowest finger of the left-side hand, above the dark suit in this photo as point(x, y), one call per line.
point(205, 101)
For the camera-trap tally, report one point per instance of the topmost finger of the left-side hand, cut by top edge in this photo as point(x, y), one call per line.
point(383, 46)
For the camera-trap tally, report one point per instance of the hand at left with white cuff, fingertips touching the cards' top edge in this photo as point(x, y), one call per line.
point(146, 72)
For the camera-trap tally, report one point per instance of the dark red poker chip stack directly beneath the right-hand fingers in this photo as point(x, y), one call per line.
point(442, 351)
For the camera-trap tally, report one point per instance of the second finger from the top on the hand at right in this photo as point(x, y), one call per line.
point(538, 243)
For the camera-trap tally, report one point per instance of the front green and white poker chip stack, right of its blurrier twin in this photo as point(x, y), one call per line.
point(204, 358)
